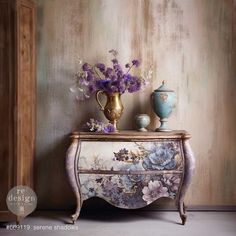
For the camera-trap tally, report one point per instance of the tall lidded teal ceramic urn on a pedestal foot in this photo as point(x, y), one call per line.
point(163, 101)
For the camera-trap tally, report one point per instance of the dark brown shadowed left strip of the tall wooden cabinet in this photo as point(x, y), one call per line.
point(6, 103)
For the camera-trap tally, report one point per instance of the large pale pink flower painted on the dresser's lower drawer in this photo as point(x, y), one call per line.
point(153, 191)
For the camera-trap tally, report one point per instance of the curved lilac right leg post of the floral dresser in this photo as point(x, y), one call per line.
point(189, 170)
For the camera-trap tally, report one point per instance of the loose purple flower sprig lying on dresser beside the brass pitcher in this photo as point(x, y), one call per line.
point(97, 126)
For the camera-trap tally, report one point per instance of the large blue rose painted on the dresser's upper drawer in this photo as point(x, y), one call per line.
point(160, 158)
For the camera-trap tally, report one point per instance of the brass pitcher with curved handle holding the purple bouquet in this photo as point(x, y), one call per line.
point(113, 108)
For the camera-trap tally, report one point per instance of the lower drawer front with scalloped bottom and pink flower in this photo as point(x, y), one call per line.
point(129, 191)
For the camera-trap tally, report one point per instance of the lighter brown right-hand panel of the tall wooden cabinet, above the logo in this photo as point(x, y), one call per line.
point(26, 92)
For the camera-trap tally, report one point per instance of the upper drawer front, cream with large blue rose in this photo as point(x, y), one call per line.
point(130, 156)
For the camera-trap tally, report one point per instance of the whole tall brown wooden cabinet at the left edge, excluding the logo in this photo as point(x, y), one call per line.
point(17, 95)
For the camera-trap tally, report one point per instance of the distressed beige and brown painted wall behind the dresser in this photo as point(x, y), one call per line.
point(191, 44)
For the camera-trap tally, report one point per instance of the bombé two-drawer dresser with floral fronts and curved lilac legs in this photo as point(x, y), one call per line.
point(130, 169)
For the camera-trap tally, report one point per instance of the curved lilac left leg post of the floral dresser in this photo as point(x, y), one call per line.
point(71, 167)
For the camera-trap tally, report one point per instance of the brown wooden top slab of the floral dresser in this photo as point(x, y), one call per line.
point(131, 135)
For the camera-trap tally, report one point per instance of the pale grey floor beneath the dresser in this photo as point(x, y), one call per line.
point(122, 223)
